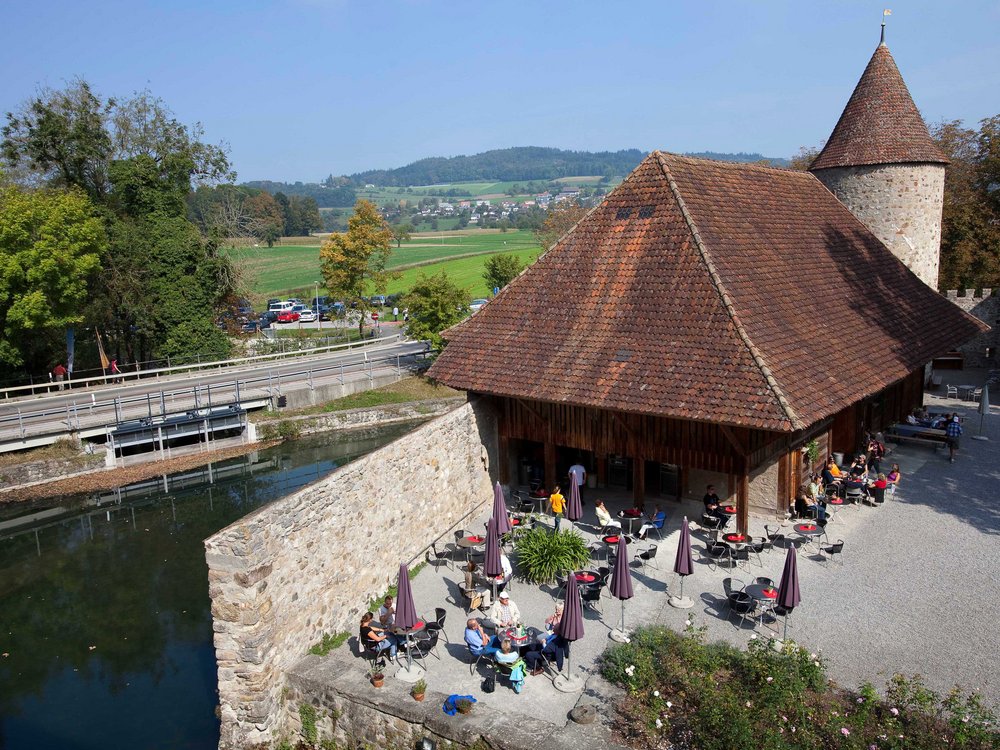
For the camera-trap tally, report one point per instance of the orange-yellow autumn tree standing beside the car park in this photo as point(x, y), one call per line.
point(355, 260)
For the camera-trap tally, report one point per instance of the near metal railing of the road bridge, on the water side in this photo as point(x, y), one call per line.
point(99, 413)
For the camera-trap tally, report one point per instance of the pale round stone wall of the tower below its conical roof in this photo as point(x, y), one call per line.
point(901, 205)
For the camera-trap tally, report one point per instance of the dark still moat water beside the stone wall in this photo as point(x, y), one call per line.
point(105, 626)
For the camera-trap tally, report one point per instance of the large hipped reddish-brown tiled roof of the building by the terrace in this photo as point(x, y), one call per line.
point(709, 291)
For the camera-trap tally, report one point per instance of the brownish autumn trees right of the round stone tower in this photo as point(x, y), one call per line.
point(970, 231)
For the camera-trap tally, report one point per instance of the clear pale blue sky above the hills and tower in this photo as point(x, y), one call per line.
point(299, 89)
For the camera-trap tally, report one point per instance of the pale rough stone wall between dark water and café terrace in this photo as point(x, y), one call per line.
point(310, 562)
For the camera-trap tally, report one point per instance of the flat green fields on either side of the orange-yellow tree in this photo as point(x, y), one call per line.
point(271, 271)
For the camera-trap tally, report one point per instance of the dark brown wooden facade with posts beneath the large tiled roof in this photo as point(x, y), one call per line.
point(733, 451)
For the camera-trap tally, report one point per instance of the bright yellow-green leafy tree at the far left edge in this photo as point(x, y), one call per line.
point(50, 248)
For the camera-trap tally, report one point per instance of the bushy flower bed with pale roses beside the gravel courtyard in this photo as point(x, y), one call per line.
point(683, 692)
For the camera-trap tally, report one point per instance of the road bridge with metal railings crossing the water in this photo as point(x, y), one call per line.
point(153, 407)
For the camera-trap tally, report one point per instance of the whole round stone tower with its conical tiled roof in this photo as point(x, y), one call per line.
point(883, 165)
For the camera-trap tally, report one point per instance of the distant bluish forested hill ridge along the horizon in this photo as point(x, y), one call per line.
point(523, 163)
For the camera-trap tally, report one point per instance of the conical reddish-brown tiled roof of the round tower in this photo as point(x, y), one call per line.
point(880, 124)
